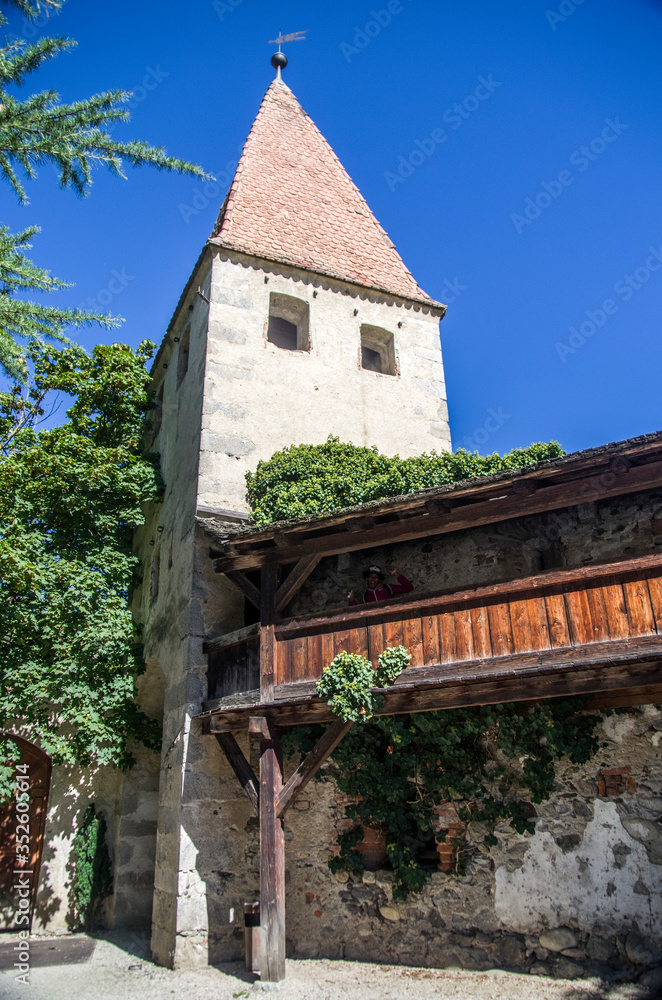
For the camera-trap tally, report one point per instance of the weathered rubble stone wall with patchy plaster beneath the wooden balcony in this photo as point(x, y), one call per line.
point(580, 897)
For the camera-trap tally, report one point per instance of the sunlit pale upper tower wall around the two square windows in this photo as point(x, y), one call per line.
point(259, 398)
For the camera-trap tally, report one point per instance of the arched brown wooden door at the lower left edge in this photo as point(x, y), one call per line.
point(16, 879)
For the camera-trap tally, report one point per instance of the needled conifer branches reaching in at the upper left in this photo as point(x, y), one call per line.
point(74, 138)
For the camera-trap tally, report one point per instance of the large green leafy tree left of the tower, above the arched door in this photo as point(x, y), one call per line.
point(70, 499)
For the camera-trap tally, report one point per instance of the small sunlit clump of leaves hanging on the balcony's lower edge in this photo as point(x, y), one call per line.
point(349, 678)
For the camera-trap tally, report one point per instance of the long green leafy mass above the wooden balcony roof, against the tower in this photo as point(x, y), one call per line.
point(311, 479)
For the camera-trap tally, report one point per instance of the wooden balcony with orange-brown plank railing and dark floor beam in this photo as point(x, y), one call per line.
point(586, 629)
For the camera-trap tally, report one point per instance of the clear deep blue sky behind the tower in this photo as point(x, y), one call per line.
point(512, 151)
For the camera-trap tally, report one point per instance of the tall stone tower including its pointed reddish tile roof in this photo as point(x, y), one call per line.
point(299, 320)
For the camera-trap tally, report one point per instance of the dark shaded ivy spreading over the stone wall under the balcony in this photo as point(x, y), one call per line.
point(492, 761)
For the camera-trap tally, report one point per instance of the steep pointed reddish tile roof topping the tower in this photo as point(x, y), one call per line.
point(292, 201)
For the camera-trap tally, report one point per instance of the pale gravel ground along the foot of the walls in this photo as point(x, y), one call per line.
point(118, 970)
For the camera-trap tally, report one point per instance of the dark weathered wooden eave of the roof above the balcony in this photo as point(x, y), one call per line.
point(617, 469)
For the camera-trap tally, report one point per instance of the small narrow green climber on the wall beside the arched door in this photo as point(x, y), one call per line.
point(92, 875)
